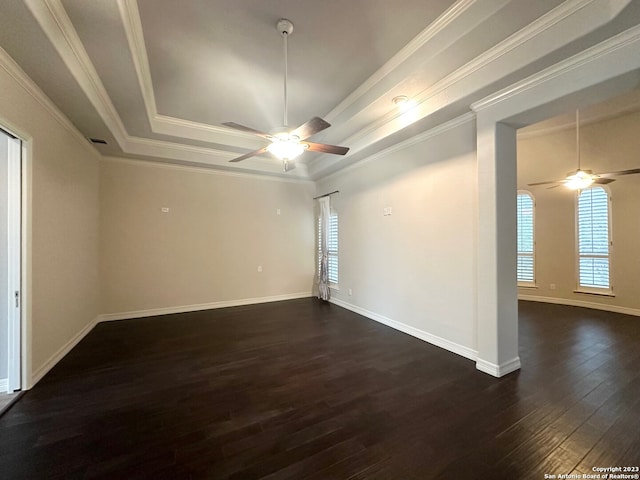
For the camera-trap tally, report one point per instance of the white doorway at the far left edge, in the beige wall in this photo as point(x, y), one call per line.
point(10, 264)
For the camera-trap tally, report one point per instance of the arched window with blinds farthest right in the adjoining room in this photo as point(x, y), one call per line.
point(593, 240)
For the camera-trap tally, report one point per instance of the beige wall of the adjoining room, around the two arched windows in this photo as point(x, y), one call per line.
point(605, 146)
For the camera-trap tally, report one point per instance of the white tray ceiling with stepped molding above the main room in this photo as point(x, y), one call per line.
point(157, 78)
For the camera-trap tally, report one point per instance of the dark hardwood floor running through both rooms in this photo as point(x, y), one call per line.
point(304, 390)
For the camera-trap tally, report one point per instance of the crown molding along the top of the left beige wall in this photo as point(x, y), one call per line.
point(14, 70)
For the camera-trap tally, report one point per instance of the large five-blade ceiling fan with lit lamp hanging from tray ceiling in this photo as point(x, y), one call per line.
point(289, 144)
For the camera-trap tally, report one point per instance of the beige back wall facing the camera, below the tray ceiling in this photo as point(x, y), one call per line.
point(220, 227)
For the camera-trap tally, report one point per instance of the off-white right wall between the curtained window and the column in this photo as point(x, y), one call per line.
point(416, 266)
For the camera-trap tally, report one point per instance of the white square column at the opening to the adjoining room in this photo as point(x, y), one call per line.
point(497, 322)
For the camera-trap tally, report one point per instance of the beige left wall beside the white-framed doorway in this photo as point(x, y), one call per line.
point(64, 222)
